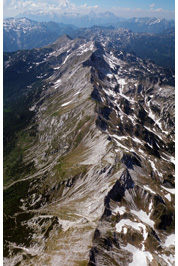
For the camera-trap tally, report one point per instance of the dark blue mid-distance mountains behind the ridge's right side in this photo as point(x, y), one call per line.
point(159, 48)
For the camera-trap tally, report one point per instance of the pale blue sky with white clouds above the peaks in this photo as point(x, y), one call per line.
point(122, 8)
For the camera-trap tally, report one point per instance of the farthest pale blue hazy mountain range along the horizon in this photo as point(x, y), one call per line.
point(145, 24)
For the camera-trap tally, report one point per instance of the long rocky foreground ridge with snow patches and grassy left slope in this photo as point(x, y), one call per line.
point(88, 157)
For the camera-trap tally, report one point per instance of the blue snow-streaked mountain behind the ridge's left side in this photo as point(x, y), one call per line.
point(26, 34)
